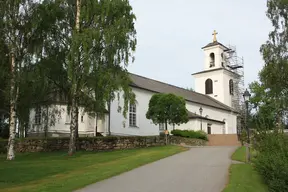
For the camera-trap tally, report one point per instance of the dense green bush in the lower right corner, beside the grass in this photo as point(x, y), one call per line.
point(272, 160)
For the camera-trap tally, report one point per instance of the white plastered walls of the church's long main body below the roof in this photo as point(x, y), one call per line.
point(120, 125)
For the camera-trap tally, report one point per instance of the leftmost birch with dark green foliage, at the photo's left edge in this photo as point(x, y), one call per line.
point(24, 25)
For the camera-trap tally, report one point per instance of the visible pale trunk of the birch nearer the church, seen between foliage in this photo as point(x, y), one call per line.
point(74, 106)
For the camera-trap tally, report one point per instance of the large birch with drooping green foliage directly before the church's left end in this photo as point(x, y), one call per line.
point(87, 53)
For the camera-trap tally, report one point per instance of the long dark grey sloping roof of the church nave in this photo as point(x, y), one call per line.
point(161, 87)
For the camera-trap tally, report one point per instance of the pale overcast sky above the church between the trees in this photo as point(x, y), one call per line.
point(171, 33)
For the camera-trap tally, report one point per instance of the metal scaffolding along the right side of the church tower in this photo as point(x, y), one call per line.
point(235, 64)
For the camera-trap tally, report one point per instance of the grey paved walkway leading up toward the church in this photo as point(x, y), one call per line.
point(201, 169)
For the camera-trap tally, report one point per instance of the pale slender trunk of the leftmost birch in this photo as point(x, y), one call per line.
point(12, 120)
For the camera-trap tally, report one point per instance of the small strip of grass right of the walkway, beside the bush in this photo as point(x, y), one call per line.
point(243, 177)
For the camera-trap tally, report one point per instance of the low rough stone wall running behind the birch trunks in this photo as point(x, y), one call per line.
point(96, 143)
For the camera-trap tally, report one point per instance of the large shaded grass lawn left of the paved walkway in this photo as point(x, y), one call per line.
point(59, 172)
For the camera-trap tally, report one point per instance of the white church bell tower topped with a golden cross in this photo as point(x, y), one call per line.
point(218, 78)
